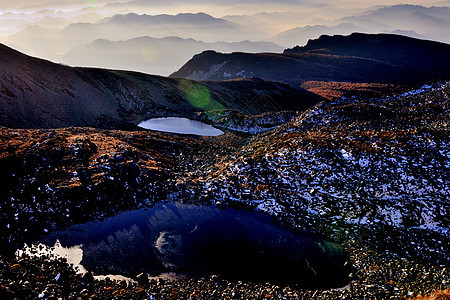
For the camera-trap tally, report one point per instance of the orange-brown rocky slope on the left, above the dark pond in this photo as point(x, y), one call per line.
point(52, 178)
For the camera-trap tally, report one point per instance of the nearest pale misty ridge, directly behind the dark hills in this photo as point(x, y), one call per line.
point(154, 56)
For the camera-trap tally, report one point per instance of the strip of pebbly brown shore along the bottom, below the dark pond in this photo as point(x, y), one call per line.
point(31, 278)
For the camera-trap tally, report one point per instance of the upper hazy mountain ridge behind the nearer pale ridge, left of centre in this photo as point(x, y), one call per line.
point(52, 43)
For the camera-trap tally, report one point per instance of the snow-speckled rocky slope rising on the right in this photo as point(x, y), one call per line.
point(379, 164)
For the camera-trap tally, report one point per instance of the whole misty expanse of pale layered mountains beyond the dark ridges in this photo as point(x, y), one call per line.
point(71, 36)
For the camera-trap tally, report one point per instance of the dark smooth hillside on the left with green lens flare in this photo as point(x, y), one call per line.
point(39, 94)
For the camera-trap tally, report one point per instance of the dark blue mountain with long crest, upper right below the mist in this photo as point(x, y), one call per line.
point(357, 58)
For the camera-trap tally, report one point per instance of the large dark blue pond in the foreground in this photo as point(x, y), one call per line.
point(191, 239)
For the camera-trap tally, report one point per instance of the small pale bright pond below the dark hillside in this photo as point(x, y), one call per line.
point(180, 125)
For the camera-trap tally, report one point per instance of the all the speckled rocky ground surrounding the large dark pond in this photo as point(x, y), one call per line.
point(337, 170)
